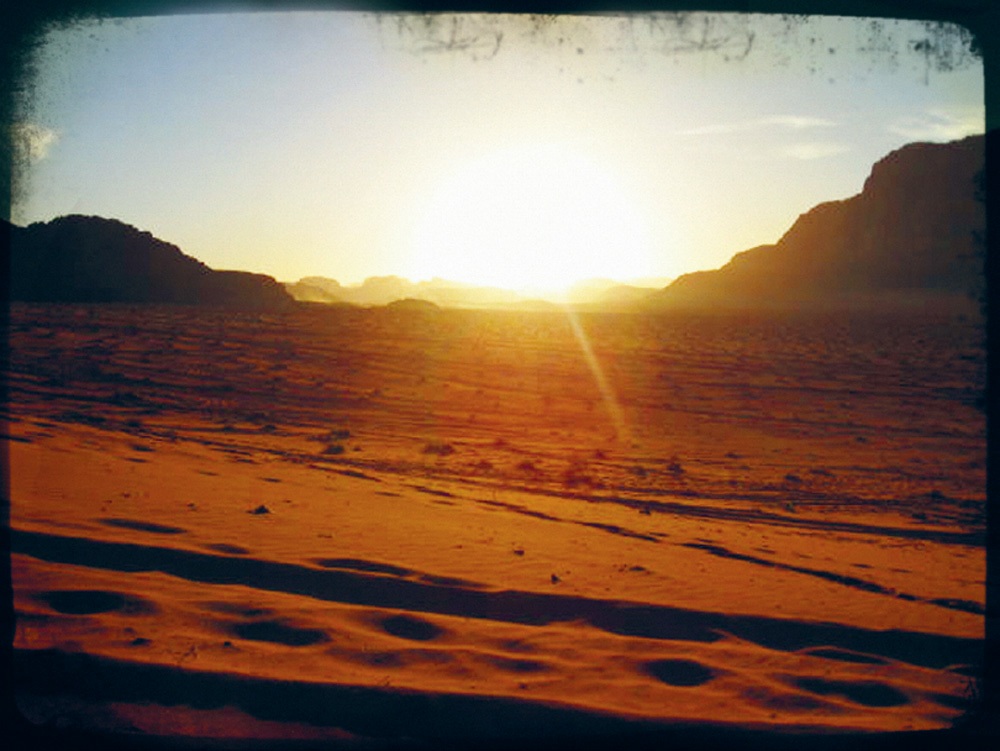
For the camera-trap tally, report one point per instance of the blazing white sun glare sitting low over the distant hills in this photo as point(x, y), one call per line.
point(534, 219)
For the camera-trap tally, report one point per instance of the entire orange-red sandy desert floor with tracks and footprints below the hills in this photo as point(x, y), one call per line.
point(354, 524)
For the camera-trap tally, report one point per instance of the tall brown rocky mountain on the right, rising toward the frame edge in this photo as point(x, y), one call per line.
point(914, 234)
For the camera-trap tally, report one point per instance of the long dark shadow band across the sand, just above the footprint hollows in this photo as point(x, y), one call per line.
point(511, 606)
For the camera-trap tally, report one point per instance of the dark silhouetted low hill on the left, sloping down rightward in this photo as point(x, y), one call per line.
point(92, 259)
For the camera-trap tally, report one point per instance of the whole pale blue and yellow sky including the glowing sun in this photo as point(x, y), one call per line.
point(493, 150)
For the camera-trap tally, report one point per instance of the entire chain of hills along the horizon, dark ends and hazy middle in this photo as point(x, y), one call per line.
point(914, 235)
